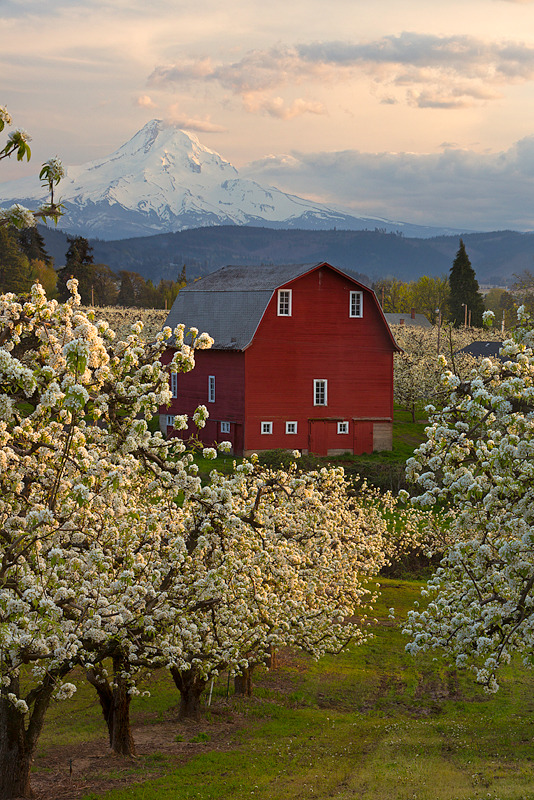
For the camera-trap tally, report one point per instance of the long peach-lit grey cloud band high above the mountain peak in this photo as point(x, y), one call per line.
point(432, 71)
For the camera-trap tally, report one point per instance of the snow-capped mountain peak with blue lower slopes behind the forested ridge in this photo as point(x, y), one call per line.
point(163, 179)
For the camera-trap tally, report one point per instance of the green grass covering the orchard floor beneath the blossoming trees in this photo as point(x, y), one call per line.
point(370, 723)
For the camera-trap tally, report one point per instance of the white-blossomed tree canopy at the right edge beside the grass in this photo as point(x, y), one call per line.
point(478, 464)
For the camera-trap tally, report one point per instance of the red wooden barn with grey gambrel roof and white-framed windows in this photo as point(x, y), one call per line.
point(302, 360)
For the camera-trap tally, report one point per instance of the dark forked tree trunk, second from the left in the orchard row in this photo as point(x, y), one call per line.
point(115, 703)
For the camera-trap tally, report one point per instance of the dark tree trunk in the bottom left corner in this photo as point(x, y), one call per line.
point(15, 756)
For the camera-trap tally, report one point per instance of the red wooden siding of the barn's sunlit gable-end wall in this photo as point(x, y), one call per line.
point(318, 341)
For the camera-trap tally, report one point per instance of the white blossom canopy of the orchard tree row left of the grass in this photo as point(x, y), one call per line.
point(111, 546)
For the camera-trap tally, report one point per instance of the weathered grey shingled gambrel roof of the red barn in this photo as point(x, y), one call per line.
point(230, 303)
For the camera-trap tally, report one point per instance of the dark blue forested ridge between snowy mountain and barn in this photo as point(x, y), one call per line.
point(495, 256)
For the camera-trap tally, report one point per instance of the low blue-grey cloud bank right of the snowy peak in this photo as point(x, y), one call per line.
point(457, 187)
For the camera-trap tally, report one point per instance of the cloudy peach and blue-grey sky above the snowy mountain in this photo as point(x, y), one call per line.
point(415, 110)
